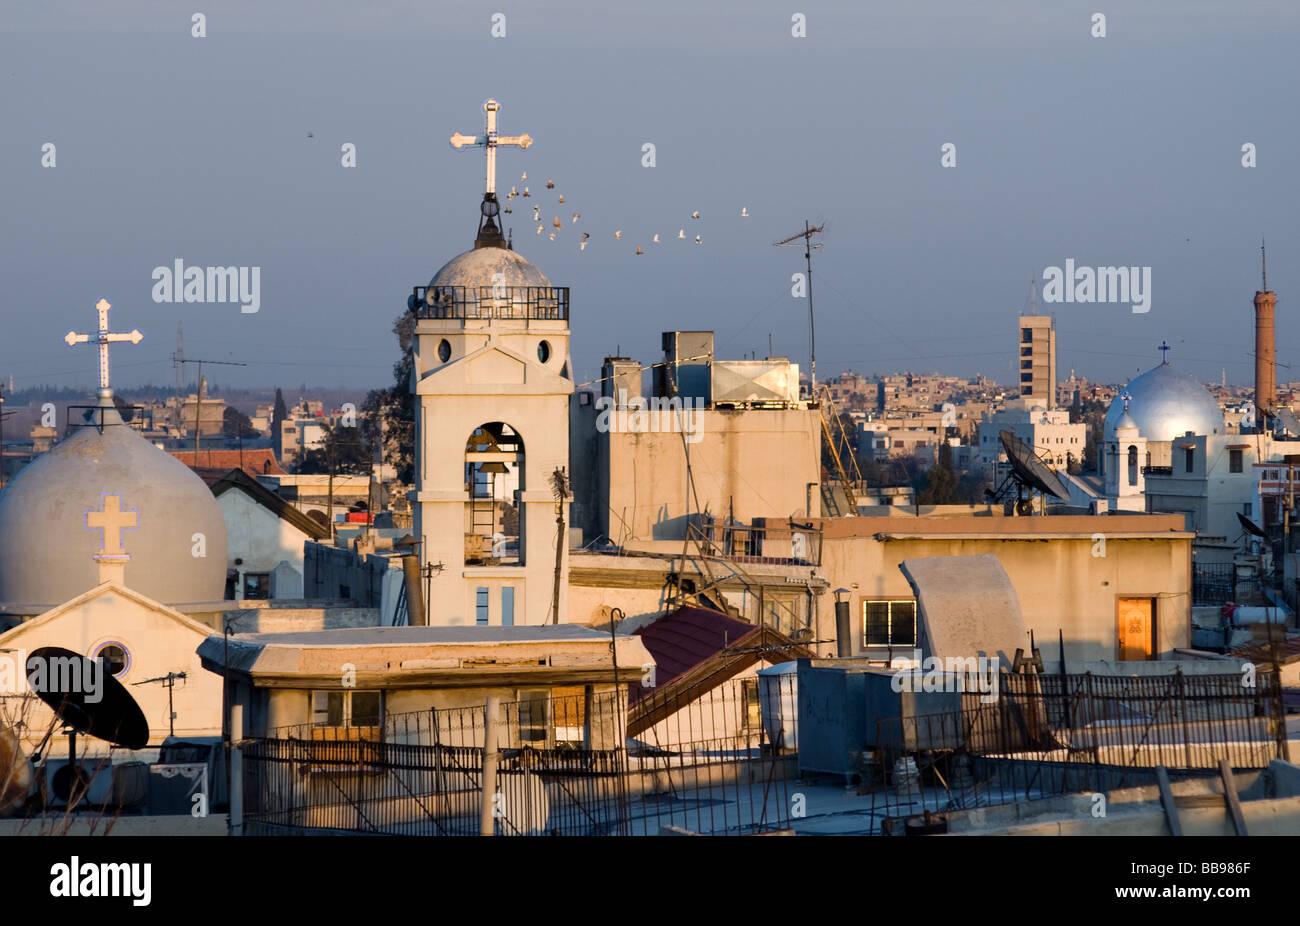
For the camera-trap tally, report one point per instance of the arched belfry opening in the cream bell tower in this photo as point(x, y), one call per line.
point(495, 475)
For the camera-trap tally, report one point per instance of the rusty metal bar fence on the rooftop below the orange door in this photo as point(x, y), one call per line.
point(1050, 735)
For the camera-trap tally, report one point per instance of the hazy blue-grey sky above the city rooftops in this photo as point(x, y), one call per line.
point(1117, 150)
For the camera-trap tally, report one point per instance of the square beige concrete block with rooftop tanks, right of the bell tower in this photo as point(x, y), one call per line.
point(753, 445)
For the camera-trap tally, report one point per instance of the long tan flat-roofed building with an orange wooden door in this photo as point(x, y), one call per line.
point(1076, 575)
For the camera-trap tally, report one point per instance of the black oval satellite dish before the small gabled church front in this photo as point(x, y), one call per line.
point(114, 716)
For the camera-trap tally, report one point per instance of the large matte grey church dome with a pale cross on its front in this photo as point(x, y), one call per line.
point(49, 533)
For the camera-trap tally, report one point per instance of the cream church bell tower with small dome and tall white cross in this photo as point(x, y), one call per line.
point(493, 382)
